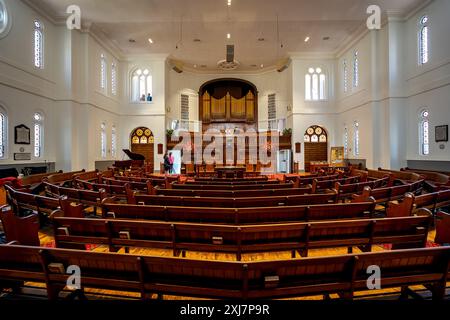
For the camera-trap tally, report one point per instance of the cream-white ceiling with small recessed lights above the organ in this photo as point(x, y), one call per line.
point(211, 20)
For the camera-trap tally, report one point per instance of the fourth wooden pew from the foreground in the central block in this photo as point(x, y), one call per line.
point(233, 202)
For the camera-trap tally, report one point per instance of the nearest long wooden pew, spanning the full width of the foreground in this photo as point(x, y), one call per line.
point(342, 275)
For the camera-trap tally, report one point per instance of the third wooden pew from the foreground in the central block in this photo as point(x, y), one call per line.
point(239, 216)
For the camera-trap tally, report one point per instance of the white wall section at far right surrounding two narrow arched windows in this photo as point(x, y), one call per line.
point(428, 85)
